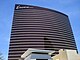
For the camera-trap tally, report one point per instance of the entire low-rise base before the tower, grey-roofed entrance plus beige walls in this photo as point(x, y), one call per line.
point(37, 54)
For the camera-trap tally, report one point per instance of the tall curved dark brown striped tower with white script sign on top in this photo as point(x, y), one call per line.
point(40, 28)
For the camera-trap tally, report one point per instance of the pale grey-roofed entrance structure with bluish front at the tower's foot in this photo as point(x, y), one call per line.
point(36, 54)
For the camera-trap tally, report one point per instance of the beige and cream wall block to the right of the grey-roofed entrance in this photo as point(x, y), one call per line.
point(67, 55)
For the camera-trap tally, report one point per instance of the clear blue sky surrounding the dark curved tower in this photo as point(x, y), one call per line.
point(69, 7)
